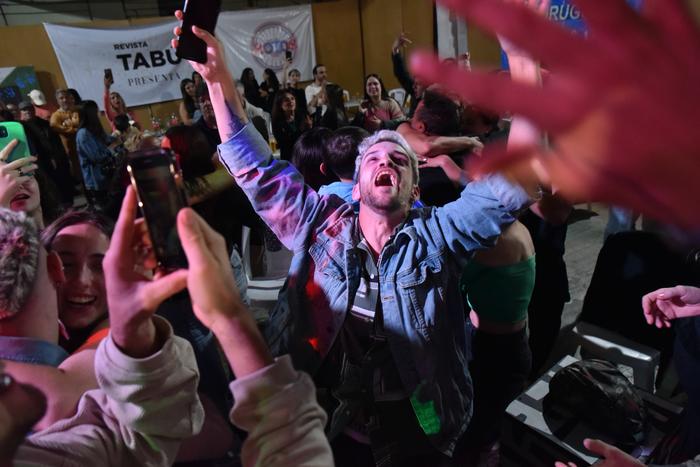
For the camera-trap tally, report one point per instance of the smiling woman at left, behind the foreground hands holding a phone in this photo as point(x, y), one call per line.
point(81, 239)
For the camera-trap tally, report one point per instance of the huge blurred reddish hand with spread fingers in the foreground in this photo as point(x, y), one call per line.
point(617, 105)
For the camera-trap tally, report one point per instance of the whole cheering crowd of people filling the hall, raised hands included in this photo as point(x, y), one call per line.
point(427, 279)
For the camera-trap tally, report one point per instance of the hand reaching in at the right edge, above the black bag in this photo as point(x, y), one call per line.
point(663, 305)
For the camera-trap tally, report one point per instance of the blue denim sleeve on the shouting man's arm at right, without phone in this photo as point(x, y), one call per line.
point(477, 218)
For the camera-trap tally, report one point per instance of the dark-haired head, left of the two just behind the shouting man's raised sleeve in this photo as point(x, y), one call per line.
point(308, 155)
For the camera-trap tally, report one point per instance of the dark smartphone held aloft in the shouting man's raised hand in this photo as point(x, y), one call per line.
point(203, 14)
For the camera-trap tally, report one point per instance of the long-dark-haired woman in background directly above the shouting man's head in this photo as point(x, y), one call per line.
point(377, 107)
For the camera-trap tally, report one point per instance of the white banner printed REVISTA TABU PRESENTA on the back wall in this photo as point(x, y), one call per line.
point(145, 68)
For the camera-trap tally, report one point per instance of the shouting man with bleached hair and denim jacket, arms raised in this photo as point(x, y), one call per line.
point(371, 307)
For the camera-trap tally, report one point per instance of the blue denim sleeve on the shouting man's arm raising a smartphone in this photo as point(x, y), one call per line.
point(275, 188)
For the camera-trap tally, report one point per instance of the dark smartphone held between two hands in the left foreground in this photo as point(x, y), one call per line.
point(153, 174)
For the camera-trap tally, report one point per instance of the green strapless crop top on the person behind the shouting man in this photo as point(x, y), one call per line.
point(502, 293)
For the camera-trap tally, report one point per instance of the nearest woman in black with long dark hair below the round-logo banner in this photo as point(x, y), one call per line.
point(288, 122)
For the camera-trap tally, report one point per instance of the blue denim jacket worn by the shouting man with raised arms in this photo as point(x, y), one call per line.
point(424, 317)
